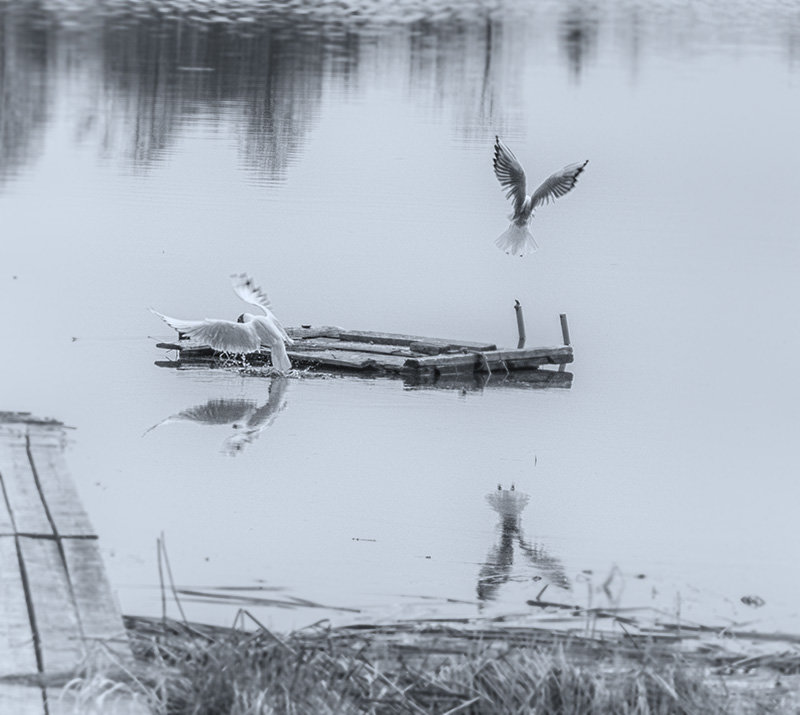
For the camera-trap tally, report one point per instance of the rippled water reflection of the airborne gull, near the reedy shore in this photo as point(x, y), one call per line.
point(497, 570)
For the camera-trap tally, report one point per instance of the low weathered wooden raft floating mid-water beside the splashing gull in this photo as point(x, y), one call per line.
point(420, 359)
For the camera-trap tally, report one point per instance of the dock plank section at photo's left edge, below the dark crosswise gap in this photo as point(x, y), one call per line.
point(17, 653)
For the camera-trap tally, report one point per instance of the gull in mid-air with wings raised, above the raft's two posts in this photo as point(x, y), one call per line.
point(517, 238)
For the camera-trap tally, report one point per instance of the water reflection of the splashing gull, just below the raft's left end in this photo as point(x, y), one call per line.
point(246, 417)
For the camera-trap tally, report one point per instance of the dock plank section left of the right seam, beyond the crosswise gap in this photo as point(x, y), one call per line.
point(24, 501)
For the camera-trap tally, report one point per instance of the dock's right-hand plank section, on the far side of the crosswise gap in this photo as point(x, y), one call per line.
point(57, 487)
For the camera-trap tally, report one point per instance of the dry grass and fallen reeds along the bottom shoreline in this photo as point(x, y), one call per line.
point(443, 667)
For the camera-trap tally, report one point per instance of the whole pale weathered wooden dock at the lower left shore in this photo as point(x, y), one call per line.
point(57, 612)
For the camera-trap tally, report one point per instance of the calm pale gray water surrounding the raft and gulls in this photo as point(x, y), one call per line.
point(341, 154)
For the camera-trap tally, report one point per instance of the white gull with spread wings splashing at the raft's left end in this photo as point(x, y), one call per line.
point(247, 334)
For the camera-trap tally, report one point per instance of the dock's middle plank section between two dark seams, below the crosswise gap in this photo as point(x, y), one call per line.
point(54, 610)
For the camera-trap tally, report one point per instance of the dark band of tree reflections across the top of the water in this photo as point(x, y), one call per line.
point(148, 68)
